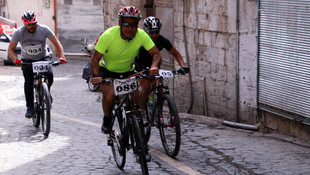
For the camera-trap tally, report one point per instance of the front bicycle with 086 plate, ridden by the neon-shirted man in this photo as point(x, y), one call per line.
point(127, 123)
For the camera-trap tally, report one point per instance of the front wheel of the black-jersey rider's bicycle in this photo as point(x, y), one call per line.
point(169, 126)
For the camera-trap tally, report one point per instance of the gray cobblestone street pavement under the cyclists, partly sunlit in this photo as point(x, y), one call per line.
point(76, 146)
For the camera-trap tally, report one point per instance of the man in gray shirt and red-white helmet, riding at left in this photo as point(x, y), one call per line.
point(32, 38)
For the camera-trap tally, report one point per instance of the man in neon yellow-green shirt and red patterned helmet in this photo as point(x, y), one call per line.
point(118, 46)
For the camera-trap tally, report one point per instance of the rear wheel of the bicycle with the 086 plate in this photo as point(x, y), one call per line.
point(117, 138)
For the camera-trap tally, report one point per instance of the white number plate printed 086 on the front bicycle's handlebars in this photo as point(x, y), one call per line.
point(125, 86)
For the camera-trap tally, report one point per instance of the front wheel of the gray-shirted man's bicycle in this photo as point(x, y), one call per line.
point(45, 109)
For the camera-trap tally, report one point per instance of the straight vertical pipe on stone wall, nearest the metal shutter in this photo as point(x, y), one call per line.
point(237, 60)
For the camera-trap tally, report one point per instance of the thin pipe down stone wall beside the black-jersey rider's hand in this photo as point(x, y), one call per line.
point(187, 58)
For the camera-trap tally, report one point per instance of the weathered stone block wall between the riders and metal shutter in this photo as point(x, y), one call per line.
point(212, 53)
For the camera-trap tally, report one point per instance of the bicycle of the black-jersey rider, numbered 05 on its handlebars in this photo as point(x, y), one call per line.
point(164, 110)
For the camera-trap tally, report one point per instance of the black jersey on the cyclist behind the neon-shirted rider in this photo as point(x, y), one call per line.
point(144, 59)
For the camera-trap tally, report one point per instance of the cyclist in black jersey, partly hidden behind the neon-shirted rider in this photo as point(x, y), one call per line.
point(152, 26)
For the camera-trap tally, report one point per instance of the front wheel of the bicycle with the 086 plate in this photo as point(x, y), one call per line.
point(139, 145)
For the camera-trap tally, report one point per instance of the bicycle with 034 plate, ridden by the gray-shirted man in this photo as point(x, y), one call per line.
point(42, 97)
